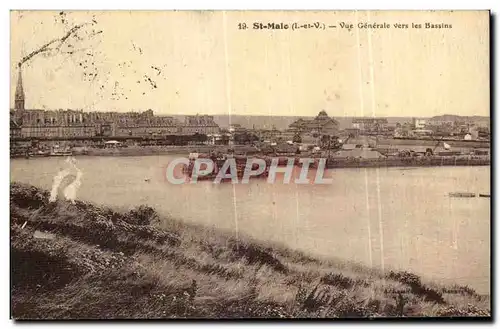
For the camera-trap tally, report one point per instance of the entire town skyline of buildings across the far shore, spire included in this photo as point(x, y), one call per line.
point(75, 124)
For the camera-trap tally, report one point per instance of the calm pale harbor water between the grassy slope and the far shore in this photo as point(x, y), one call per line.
point(397, 218)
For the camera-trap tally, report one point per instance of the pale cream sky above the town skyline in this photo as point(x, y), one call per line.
point(189, 62)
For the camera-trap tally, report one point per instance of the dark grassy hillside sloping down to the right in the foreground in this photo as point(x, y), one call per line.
point(83, 261)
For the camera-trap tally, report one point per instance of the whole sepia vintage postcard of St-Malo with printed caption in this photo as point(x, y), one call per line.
point(250, 164)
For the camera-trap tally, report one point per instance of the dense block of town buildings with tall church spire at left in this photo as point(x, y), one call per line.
point(70, 123)
